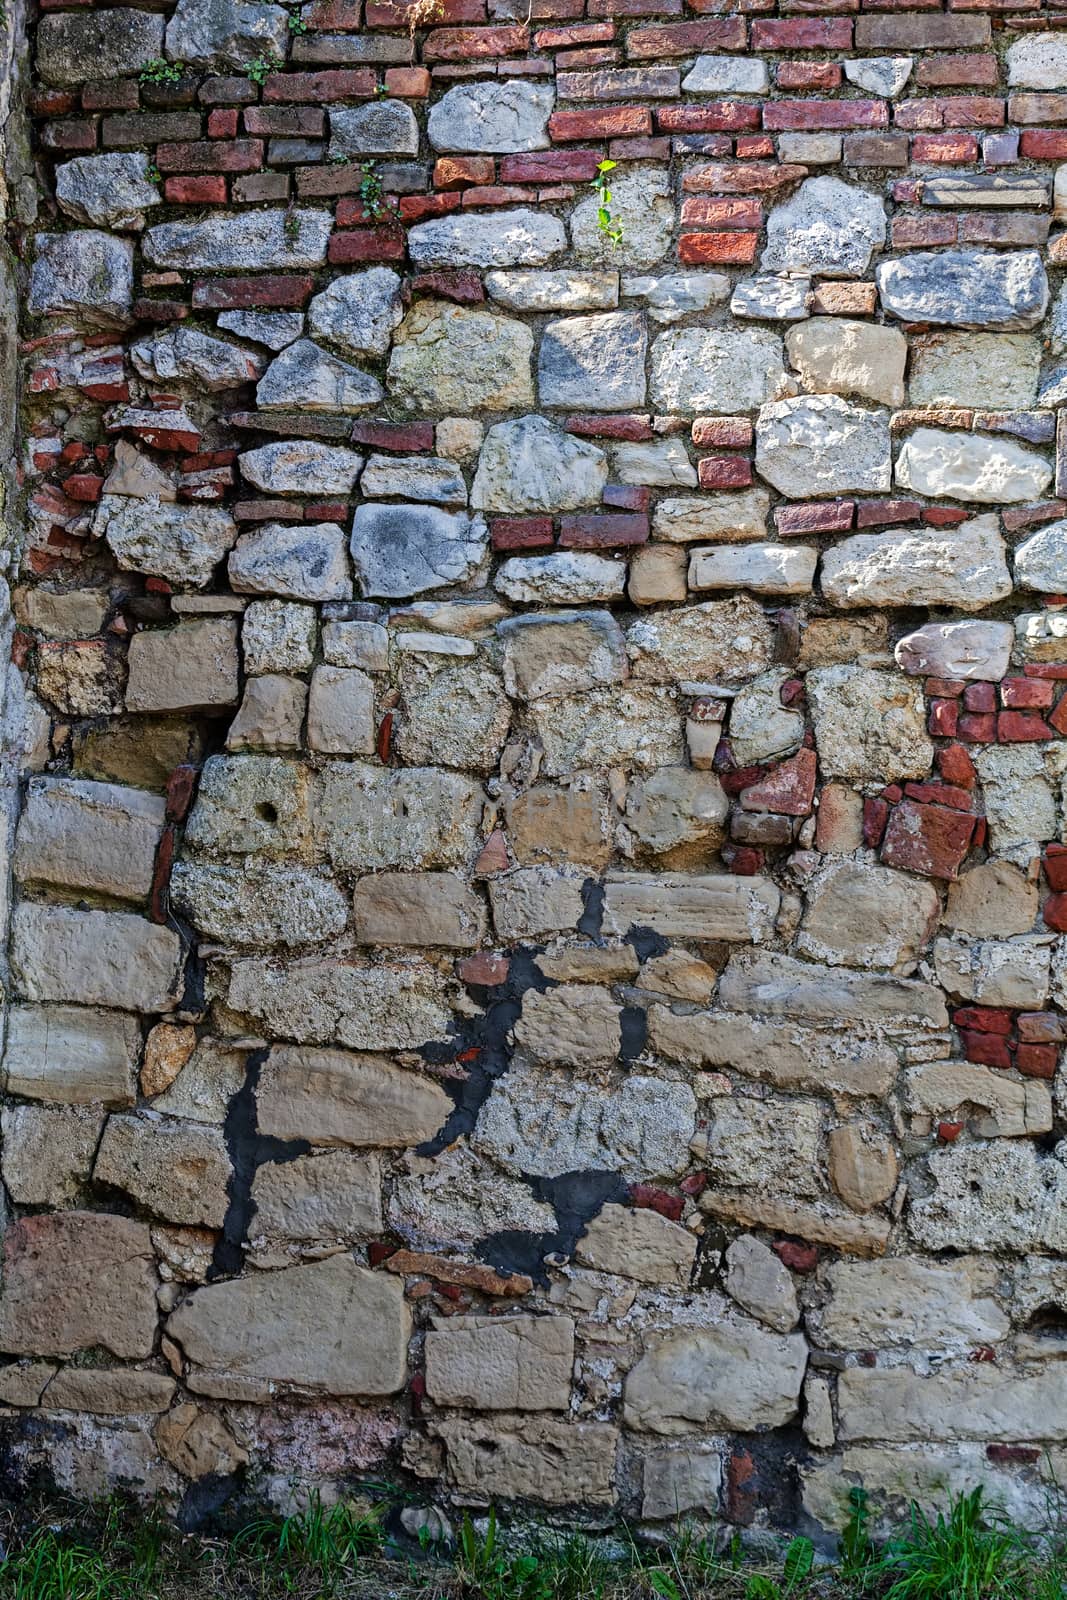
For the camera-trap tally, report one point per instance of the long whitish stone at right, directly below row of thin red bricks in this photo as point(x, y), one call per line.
point(962, 567)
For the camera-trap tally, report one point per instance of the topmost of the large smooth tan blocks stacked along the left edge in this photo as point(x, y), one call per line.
point(79, 834)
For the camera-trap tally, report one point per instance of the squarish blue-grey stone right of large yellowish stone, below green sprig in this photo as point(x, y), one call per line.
point(594, 362)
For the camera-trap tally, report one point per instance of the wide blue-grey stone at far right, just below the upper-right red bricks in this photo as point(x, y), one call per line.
point(965, 289)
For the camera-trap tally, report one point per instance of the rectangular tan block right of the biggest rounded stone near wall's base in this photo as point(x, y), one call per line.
point(502, 1364)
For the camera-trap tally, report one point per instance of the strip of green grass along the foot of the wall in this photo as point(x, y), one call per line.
point(346, 1553)
